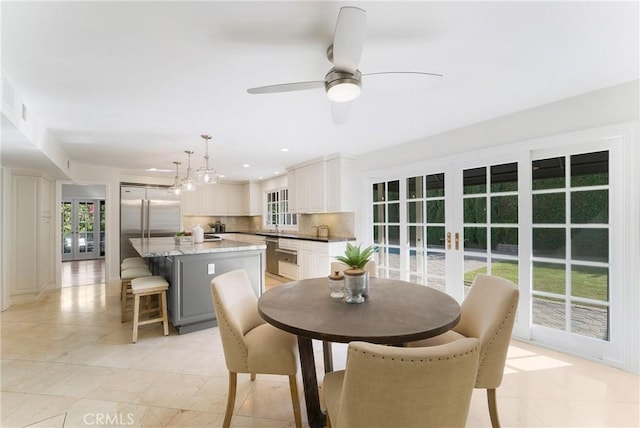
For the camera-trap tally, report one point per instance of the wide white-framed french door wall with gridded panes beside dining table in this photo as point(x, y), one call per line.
point(540, 218)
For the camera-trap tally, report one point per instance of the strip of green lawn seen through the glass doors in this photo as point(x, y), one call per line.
point(586, 281)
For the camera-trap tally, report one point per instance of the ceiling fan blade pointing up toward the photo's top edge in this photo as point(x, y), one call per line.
point(348, 39)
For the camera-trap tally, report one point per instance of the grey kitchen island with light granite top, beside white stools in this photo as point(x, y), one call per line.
point(189, 269)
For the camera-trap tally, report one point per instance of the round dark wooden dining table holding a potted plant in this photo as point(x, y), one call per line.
point(395, 312)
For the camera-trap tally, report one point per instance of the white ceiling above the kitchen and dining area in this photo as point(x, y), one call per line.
point(133, 85)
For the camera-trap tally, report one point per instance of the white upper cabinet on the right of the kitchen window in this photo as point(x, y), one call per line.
point(323, 186)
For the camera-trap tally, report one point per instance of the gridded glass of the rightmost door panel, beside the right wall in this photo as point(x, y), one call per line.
point(570, 286)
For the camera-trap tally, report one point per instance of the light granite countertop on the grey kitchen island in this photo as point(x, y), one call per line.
point(161, 247)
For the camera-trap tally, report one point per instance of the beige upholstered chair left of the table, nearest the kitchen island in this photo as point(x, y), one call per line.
point(250, 344)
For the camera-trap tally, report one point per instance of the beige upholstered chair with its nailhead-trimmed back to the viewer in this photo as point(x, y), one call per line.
point(389, 386)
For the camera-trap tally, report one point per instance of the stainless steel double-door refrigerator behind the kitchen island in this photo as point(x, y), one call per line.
point(145, 212)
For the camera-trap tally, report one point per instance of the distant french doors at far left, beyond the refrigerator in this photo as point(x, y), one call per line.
point(82, 229)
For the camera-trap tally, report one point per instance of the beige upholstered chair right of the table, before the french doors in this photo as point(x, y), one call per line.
point(487, 313)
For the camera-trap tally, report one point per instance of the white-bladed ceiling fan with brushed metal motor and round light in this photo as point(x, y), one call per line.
point(343, 82)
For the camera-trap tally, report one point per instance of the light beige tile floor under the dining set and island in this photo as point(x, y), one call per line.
point(68, 361)
